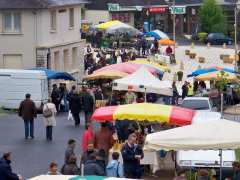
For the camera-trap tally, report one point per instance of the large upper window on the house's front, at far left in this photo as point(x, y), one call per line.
point(12, 22)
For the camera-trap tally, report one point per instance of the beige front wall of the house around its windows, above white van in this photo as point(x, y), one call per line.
point(23, 43)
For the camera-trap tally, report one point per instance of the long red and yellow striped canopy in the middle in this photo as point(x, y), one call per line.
point(145, 112)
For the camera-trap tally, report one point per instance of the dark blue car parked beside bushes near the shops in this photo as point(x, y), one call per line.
point(218, 39)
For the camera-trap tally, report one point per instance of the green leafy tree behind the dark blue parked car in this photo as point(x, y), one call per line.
point(212, 18)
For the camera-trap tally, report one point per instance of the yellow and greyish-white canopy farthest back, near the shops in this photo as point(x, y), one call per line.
point(116, 26)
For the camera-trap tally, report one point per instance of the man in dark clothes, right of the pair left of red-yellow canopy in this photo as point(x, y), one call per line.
point(87, 103)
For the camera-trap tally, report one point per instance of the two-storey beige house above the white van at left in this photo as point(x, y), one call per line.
point(42, 35)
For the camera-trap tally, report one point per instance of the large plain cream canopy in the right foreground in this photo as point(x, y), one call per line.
point(215, 135)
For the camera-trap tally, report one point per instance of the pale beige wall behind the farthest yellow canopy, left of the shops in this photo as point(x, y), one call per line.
point(96, 16)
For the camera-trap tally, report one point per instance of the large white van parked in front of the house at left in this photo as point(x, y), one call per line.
point(14, 84)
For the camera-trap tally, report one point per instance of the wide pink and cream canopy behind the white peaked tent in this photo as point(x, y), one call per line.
point(129, 68)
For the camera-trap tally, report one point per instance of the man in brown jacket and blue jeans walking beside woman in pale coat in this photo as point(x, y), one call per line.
point(27, 110)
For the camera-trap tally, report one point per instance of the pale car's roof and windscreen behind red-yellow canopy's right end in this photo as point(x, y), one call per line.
point(198, 103)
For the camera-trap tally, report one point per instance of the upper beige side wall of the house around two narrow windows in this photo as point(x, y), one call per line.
point(63, 33)
